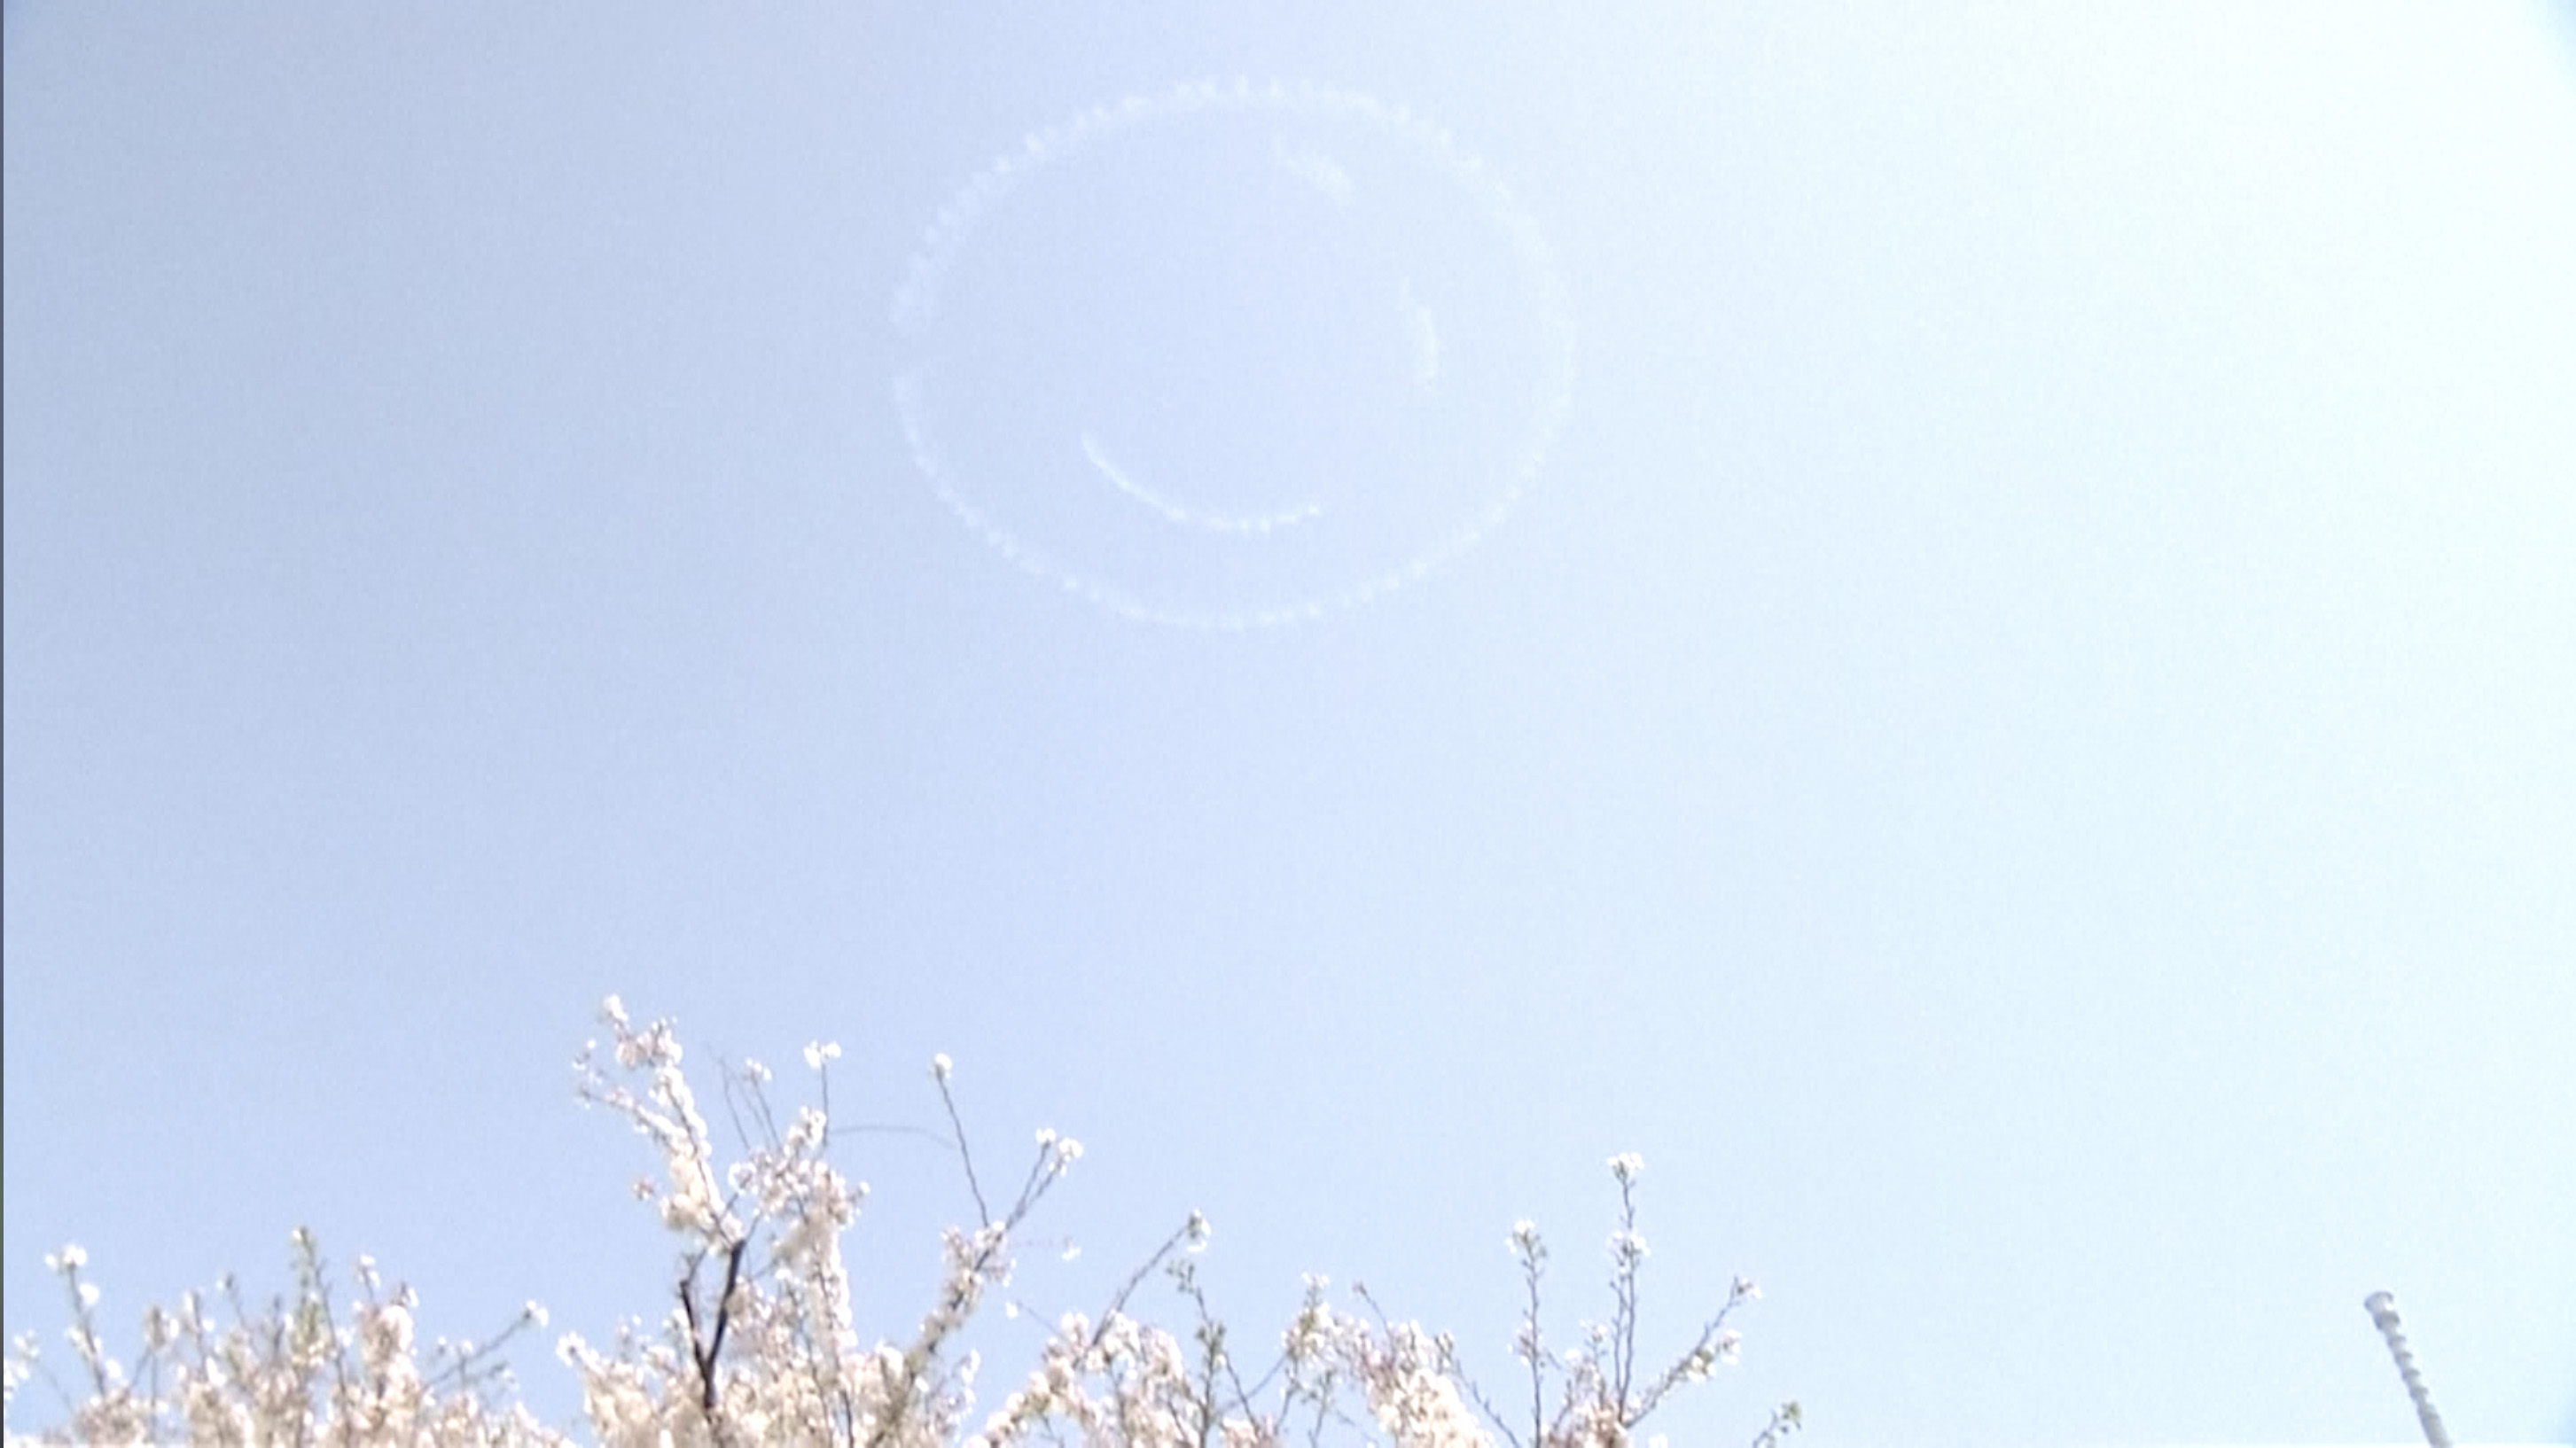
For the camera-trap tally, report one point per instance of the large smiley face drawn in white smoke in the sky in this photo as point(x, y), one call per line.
point(1233, 357)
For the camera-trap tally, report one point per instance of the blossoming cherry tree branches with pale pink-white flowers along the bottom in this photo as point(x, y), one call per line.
point(761, 1344)
